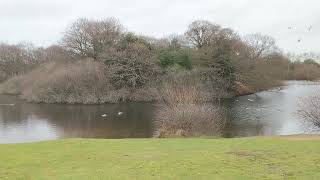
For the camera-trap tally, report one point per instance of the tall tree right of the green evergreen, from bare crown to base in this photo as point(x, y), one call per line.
point(216, 49)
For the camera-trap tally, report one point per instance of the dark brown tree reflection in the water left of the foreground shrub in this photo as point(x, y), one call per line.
point(86, 121)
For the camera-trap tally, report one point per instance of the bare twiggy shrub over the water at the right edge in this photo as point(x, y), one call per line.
point(309, 109)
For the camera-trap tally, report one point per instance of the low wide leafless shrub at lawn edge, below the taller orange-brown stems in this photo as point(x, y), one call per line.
point(189, 120)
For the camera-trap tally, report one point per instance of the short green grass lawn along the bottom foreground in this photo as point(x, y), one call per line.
point(246, 158)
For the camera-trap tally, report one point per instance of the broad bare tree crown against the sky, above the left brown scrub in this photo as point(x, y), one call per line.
point(88, 38)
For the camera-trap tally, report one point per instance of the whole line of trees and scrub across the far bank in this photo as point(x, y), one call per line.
point(98, 61)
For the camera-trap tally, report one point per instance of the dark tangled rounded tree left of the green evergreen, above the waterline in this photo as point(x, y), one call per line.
point(131, 64)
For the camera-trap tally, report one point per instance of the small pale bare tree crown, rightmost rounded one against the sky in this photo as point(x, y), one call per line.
point(259, 45)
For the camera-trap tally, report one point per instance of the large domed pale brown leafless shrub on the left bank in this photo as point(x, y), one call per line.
point(81, 82)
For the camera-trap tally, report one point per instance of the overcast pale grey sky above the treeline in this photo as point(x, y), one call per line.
point(43, 21)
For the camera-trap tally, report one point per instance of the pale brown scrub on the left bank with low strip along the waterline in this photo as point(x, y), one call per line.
point(83, 82)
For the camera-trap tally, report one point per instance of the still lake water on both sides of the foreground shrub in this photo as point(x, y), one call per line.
point(261, 114)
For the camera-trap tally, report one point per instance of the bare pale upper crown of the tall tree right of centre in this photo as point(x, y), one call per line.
point(200, 33)
